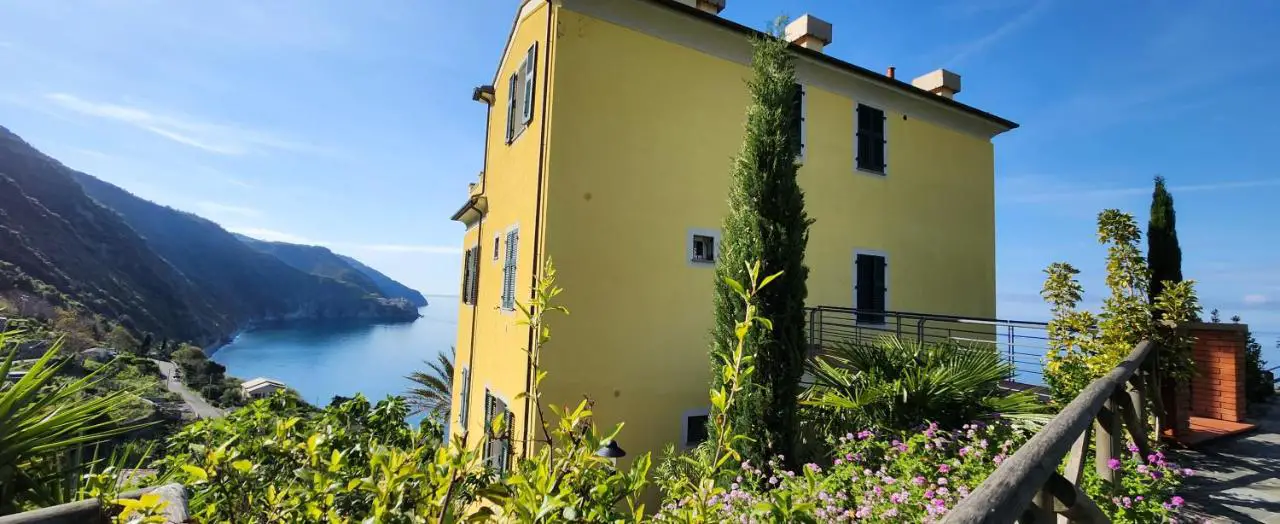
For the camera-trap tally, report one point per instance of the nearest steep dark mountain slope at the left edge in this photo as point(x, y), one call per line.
point(58, 244)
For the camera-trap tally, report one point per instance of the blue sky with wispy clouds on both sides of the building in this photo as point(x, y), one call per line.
point(351, 124)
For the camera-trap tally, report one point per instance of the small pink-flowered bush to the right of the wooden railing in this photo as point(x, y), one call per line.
point(1146, 491)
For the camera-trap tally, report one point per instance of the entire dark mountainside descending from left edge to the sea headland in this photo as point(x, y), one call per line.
point(65, 234)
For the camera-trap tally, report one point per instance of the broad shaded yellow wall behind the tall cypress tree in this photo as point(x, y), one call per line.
point(641, 151)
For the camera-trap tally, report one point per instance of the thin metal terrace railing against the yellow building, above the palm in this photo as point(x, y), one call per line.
point(1023, 344)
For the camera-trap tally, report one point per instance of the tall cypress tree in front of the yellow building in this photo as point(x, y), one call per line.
point(767, 224)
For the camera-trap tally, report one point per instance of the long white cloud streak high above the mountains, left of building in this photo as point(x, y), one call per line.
point(218, 139)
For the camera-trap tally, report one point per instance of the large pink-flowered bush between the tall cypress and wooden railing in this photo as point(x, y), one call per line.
point(913, 477)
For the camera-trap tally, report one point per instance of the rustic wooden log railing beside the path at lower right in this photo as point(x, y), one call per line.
point(1028, 487)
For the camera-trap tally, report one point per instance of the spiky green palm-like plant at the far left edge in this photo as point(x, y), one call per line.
point(45, 427)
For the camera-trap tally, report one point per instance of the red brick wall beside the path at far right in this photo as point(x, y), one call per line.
point(1218, 390)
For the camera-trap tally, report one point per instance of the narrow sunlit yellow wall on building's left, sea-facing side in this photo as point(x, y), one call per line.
point(497, 357)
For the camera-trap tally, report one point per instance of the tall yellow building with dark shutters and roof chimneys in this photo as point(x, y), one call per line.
point(611, 130)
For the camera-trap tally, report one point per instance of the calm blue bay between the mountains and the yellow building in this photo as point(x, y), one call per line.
point(324, 361)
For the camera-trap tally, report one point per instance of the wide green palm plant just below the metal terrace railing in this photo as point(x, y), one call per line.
point(899, 385)
